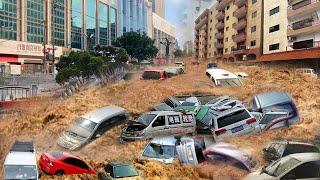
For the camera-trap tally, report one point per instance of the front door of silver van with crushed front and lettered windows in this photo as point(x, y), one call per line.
point(159, 127)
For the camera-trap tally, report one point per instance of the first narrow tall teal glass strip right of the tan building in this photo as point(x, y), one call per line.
point(76, 24)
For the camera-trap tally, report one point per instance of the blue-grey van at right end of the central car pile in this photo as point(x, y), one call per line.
point(277, 108)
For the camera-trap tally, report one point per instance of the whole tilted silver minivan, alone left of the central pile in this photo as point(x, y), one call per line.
point(91, 126)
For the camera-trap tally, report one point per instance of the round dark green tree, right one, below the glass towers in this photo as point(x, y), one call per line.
point(140, 47)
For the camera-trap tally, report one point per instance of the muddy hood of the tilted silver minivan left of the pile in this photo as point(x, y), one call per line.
point(68, 141)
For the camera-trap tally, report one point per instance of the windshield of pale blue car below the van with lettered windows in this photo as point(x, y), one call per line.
point(159, 151)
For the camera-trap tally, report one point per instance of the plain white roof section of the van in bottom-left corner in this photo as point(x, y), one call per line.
point(20, 158)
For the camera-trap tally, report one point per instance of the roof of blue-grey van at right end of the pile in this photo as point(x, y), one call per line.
point(272, 98)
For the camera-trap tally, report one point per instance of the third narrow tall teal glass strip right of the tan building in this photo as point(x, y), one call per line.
point(103, 24)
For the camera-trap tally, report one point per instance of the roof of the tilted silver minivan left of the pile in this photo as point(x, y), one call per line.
point(102, 113)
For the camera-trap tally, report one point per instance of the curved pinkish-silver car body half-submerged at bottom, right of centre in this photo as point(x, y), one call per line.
point(228, 150)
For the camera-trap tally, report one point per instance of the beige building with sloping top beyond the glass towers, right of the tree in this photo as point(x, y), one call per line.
point(163, 30)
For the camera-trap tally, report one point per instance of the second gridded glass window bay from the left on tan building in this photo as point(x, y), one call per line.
point(35, 17)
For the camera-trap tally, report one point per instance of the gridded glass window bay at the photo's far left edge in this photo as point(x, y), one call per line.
point(8, 19)
